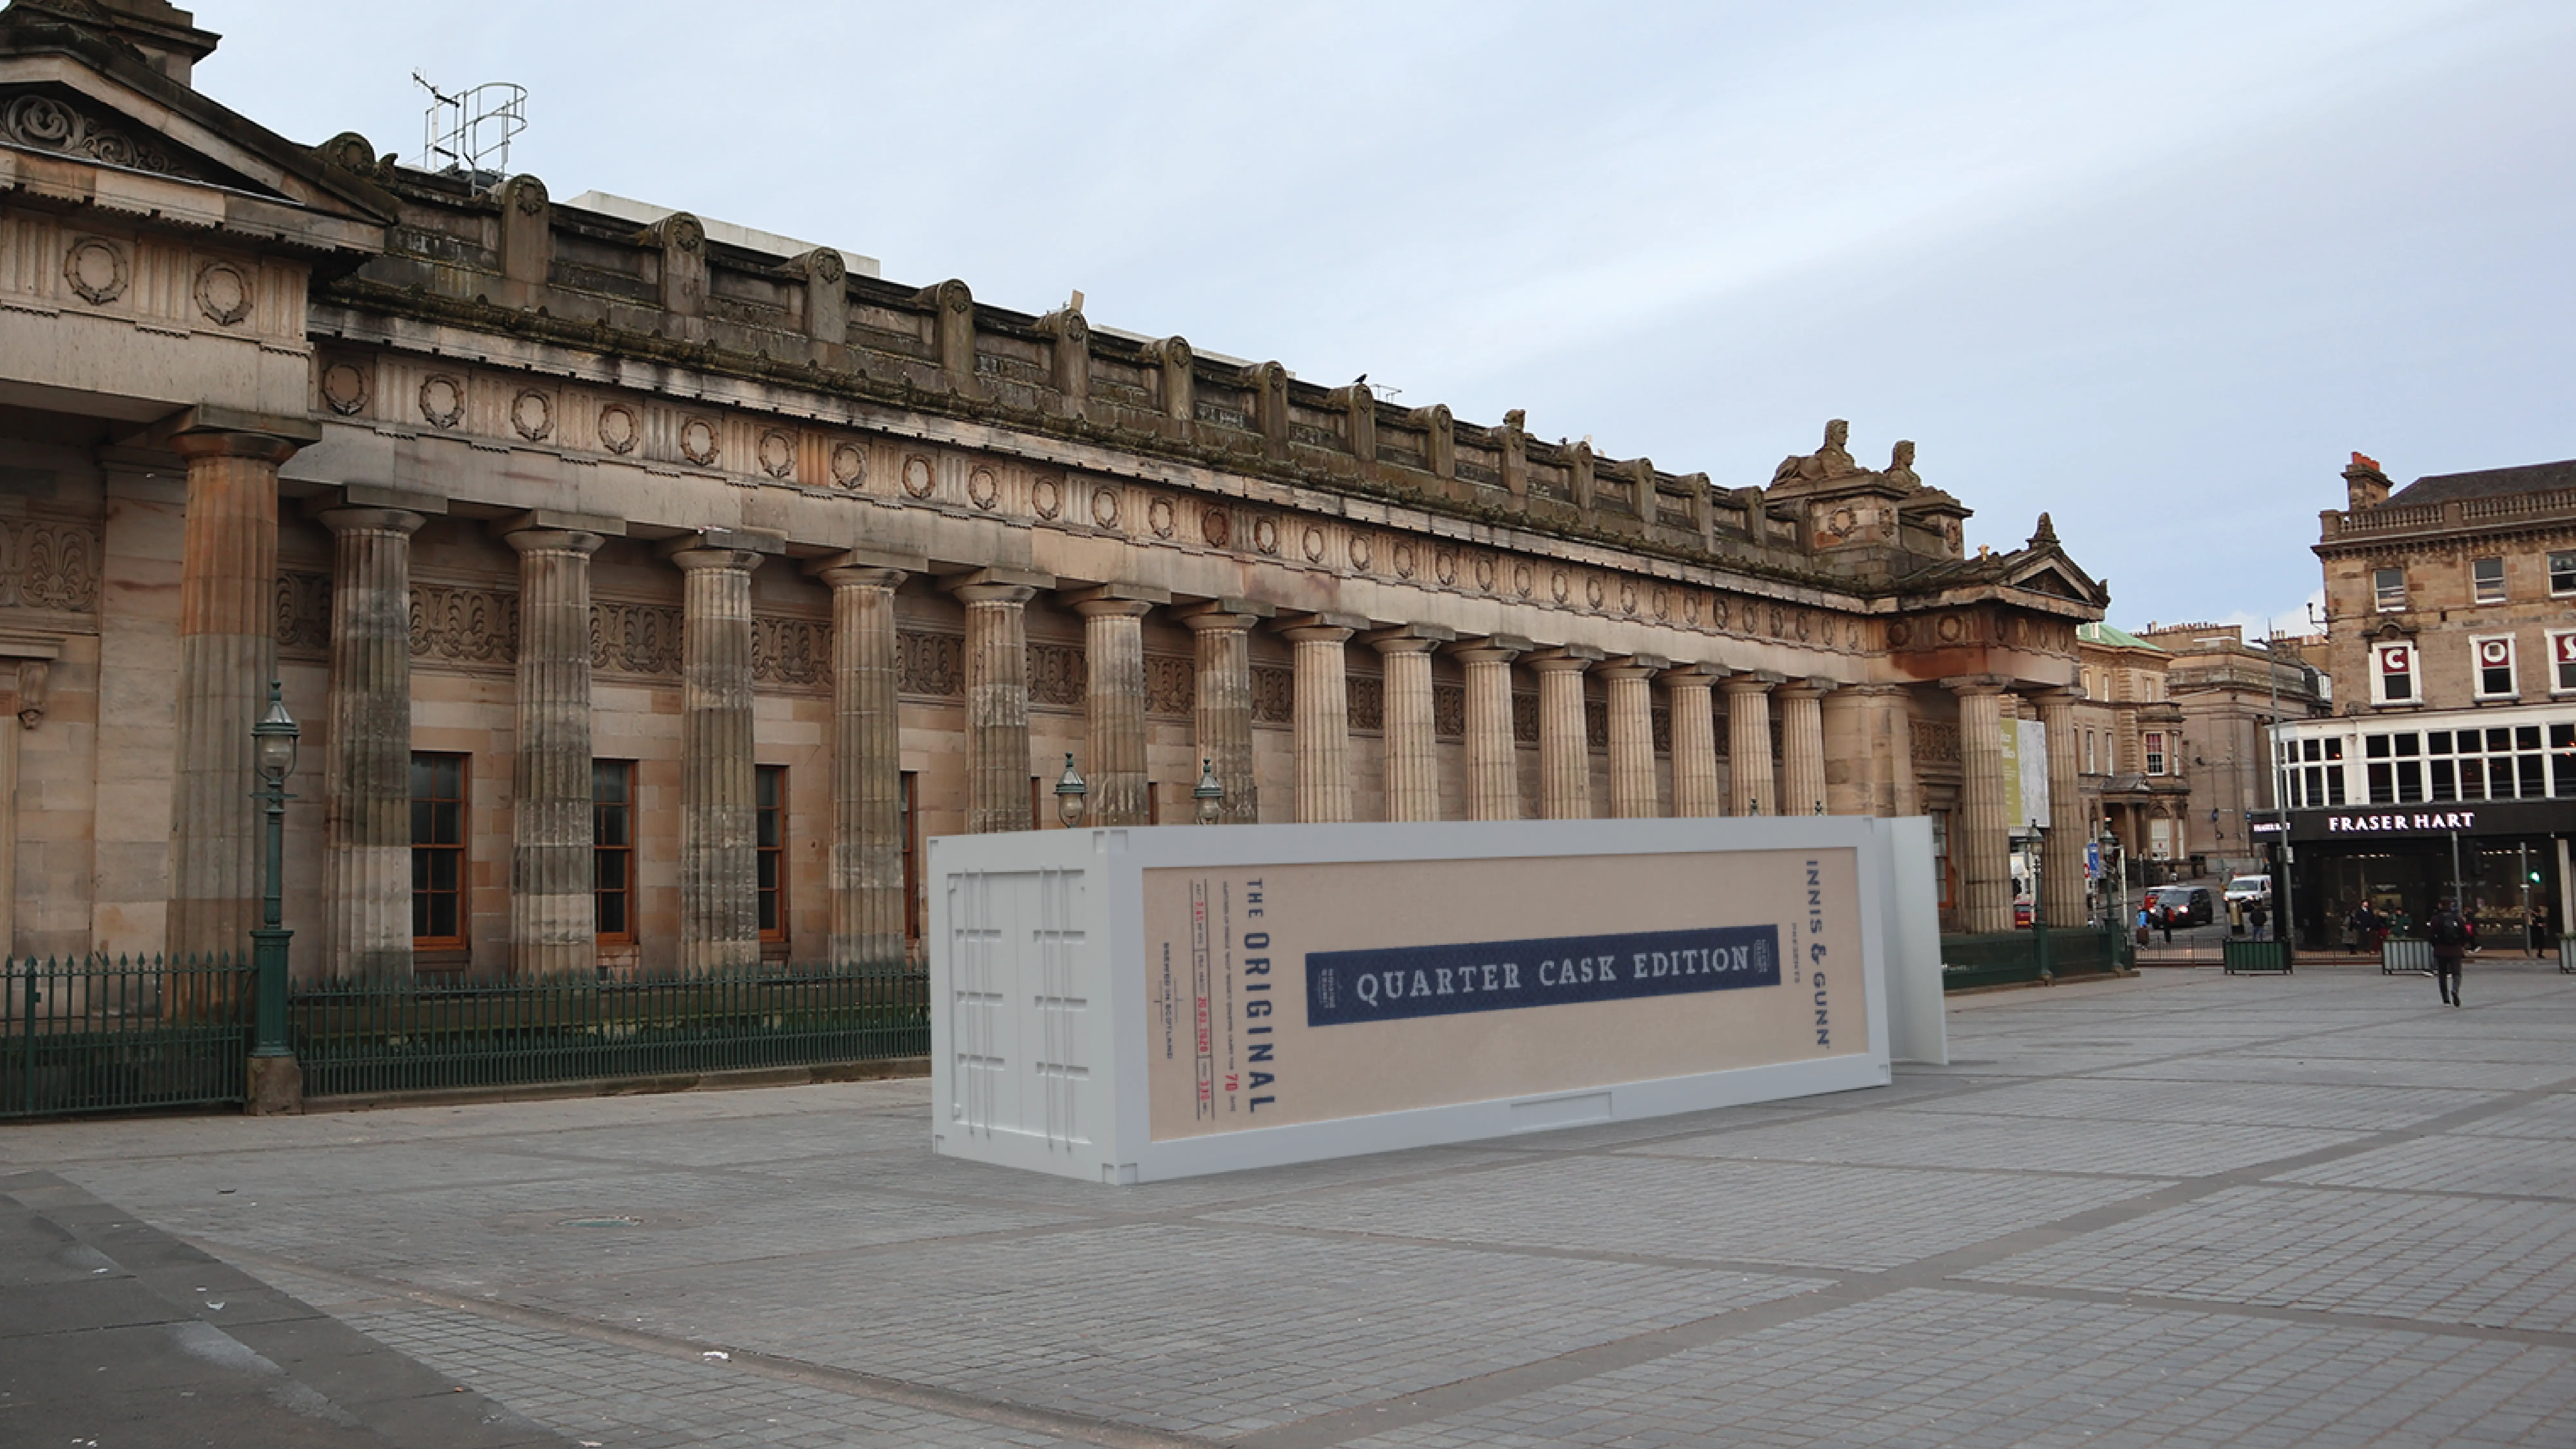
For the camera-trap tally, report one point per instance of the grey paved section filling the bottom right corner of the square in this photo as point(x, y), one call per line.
point(1964, 1371)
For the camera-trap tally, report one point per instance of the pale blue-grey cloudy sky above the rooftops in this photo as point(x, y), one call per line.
point(2150, 269)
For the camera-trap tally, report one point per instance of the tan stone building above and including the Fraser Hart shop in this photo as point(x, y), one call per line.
point(2451, 755)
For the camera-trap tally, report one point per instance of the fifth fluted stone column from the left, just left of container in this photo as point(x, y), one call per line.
point(867, 869)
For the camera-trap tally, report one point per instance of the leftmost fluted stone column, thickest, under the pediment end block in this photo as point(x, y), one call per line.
point(228, 650)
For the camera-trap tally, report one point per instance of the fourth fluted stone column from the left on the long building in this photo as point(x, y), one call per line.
point(720, 804)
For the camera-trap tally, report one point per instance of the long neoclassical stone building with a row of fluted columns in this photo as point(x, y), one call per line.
point(650, 593)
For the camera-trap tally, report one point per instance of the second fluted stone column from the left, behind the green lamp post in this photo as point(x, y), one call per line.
point(367, 779)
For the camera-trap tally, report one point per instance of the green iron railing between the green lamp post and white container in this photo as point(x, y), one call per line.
point(408, 1036)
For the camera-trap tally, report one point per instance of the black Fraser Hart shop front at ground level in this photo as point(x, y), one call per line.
point(2508, 863)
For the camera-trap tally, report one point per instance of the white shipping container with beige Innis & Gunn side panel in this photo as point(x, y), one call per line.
point(1302, 1008)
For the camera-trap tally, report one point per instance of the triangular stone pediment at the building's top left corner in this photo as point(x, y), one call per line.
point(76, 94)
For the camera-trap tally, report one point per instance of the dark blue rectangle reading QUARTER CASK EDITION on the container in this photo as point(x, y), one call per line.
point(1501, 977)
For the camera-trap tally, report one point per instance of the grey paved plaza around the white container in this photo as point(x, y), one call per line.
point(2175, 1211)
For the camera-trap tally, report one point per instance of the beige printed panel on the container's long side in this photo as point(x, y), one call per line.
point(1315, 992)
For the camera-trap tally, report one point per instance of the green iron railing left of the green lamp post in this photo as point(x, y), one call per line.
point(120, 1033)
